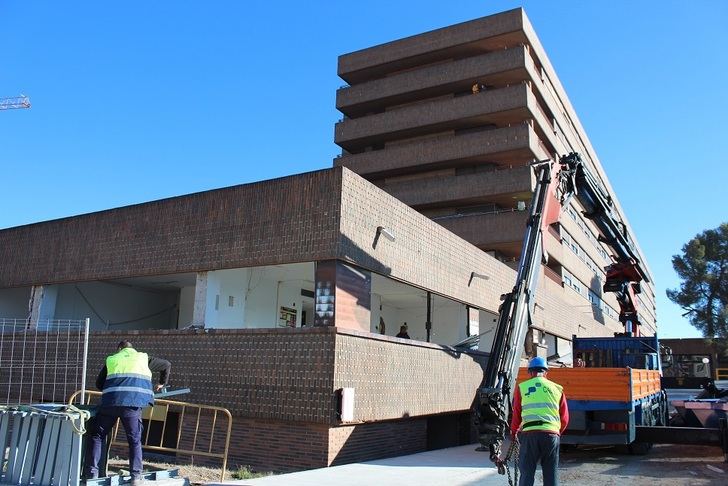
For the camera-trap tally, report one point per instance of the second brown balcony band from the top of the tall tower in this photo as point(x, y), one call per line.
point(498, 68)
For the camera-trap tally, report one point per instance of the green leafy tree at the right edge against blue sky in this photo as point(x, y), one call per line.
point(703, 293)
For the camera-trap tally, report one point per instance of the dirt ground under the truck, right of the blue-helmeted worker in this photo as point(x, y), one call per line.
point(664, 465)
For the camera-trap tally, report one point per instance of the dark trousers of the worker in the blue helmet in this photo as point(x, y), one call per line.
point(538, 447)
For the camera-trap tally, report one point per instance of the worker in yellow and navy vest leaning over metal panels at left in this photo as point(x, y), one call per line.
point(126, 388)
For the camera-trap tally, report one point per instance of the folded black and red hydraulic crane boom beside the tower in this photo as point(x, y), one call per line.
point(554, 188)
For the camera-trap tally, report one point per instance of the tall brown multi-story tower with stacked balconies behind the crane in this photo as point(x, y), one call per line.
point(448, 122)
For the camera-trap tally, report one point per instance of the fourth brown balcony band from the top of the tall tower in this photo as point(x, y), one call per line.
point(516, 145)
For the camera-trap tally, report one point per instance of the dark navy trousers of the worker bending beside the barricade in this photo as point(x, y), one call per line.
point(131, 420)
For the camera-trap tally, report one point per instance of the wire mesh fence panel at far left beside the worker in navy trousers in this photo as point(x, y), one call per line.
point(41, 363)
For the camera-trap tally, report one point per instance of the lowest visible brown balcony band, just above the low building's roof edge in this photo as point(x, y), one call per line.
point(488, 231)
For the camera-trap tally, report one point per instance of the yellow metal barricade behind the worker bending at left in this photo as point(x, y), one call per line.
point(194, 438)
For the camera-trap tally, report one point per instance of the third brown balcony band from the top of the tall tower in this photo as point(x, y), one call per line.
point(500, 107)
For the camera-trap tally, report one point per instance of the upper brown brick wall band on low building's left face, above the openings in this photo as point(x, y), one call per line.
point(292, 219)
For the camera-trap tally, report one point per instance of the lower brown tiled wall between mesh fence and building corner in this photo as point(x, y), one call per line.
point(281, 374)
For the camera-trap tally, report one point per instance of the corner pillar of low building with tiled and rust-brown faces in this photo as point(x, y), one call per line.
point(343, 296)
